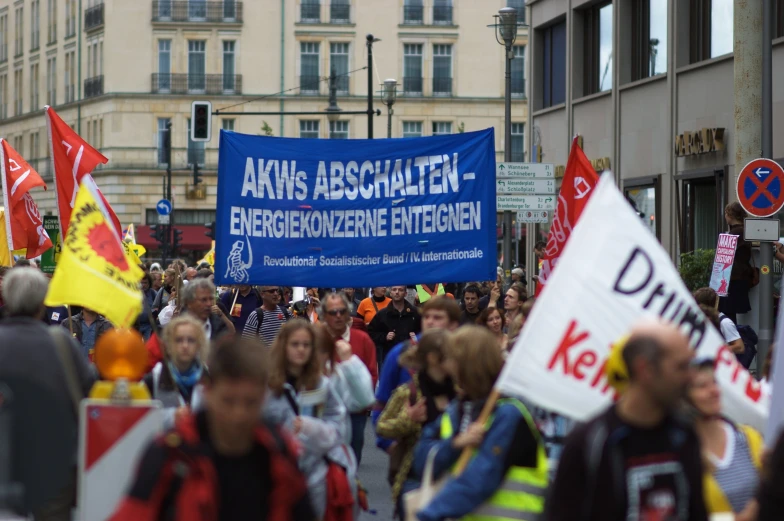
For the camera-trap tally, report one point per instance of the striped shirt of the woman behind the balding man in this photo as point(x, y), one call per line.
point(735, 472)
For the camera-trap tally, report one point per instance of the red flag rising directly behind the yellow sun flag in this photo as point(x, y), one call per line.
point(73, 159)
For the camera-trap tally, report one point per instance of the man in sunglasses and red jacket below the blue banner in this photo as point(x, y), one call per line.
point(334, 312)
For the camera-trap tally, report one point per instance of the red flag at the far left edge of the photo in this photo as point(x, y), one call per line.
point(24, 226)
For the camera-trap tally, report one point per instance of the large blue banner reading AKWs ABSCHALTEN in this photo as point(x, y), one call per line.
point(355, 213)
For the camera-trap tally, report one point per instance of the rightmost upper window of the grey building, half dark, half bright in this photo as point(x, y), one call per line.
point(710, 29)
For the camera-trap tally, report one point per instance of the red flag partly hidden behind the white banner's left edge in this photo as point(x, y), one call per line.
point(578, 183)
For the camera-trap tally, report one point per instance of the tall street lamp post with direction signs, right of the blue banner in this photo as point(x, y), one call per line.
point(506, 34)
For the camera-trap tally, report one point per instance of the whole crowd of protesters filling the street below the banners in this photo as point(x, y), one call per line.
point(267, 398)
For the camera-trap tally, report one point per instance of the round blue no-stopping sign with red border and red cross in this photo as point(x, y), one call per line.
point(761, 187)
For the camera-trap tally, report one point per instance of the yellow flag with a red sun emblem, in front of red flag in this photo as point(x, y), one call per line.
point(93, 270)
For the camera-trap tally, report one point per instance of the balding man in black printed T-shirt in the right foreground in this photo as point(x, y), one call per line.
point(636, 460)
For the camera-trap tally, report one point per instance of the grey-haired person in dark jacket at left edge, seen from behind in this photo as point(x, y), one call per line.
point(44, 357)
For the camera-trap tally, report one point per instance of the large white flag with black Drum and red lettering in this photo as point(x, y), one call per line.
point(613, 272)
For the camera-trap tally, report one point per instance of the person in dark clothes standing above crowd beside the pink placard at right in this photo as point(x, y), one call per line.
point(737, 300)
